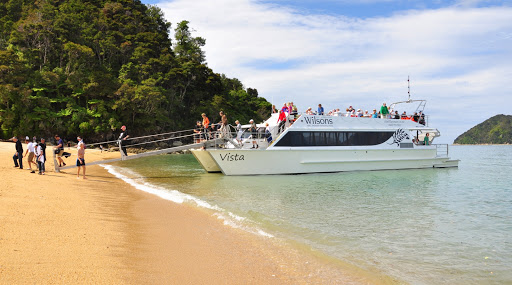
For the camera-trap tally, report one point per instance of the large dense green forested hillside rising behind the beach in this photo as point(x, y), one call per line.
point(87, 67)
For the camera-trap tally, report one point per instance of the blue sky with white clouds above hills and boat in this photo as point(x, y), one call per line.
point(340, 53)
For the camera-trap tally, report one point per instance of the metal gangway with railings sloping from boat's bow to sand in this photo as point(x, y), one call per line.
point(204, 143)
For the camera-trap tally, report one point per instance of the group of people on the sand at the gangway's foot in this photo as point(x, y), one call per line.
point(36, 154)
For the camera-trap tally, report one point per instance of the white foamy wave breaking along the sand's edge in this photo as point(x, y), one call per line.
point(176, 196)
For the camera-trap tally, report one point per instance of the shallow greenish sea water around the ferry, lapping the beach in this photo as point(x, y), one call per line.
point(427, 226)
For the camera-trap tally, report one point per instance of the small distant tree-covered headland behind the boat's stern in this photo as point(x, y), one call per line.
point(496, 130)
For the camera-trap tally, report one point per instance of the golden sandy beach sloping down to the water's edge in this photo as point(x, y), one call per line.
point(57, 229)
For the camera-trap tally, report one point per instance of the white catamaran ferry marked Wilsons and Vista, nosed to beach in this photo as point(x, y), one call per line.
point(322, 144)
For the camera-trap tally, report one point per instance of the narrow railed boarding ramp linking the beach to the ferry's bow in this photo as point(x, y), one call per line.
point(199, 140)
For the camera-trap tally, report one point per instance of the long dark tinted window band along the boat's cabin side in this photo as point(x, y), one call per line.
point(298, 138)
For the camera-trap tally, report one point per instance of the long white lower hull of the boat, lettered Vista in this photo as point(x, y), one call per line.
point(298, 161)
